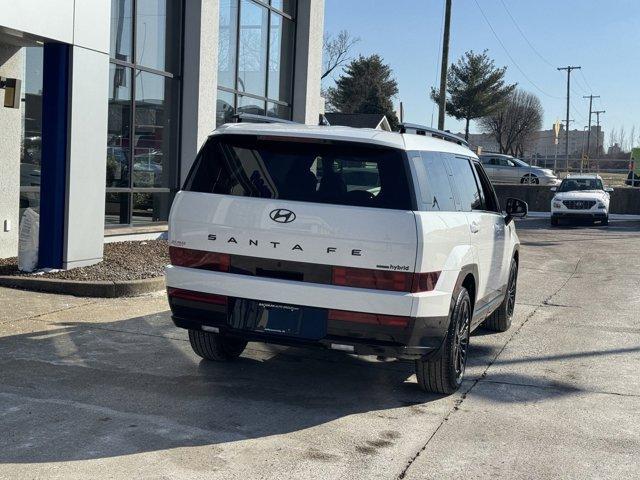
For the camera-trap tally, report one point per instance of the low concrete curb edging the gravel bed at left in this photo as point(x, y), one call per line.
point(113, 289)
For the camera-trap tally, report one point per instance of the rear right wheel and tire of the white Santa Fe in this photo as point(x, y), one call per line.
point(444, 373)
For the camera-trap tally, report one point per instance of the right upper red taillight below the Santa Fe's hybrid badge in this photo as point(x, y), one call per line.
point(384, 280)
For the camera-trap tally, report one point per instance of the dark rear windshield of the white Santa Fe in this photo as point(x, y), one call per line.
point(341, 173)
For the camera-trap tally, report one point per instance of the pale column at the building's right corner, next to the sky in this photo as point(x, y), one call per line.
point(308, 61)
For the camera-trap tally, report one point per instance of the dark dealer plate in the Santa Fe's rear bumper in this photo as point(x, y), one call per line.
point(278, 319)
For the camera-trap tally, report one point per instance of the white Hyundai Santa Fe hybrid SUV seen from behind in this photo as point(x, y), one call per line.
point(357, 240)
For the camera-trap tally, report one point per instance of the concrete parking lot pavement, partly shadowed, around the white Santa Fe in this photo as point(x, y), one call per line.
point(110, 389)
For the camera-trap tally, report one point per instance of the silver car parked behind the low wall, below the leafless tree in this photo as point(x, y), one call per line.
point(507, 169)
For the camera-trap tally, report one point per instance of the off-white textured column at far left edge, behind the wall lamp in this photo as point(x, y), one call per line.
point(11, 66)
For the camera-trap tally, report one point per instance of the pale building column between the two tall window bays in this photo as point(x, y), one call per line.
point(199, 79)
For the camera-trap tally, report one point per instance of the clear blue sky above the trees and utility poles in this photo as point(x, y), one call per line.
point(601, 36)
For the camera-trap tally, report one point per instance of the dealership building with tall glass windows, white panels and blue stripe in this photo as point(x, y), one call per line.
point(105, 103)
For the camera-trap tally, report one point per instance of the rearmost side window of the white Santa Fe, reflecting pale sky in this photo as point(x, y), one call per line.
point(435, 187)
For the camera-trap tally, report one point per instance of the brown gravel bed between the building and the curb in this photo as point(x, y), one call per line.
point(122, 261)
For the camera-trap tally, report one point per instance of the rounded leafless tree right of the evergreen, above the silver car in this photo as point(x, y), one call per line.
point(515, 124)
